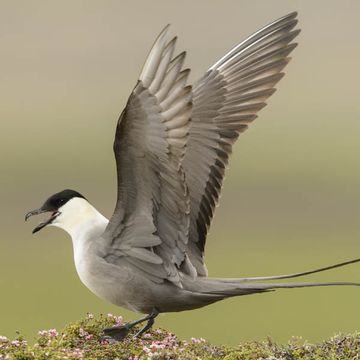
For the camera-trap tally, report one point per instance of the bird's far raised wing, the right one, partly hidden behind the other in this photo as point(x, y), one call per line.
point(225, 100)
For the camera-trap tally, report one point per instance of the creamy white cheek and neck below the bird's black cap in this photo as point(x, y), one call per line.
point(80, 219)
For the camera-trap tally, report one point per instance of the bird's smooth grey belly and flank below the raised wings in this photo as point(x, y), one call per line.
point(127, 287)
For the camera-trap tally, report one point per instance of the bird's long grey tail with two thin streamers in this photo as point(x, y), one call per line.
point(227, 287)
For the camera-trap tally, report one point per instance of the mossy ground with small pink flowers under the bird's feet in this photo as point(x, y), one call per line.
point(83, 340)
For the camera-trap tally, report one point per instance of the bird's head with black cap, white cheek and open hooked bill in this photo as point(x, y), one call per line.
point(64, 208)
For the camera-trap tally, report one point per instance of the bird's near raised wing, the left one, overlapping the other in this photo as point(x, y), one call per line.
point(149, 228)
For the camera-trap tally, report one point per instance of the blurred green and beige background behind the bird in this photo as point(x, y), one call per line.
point(291, 200)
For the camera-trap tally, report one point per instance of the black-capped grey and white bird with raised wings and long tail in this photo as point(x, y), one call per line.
point(172, 146)
